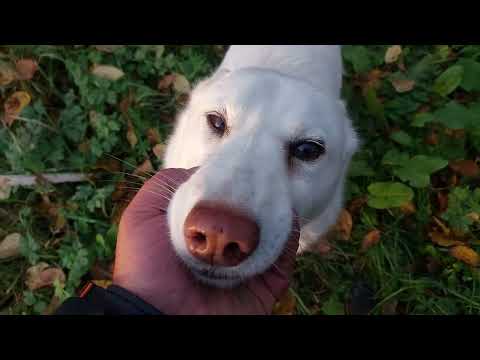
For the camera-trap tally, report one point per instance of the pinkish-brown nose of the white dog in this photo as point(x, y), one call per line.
point(219, 235)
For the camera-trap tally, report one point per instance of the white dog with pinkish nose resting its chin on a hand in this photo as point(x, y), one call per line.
point(271, 137)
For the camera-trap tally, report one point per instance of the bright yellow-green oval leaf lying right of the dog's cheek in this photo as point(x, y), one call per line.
point(385, 195)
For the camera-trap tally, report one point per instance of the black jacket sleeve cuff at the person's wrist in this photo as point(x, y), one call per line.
point(114, 300)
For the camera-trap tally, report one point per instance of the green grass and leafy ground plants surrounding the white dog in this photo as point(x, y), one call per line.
point(74, 122)
